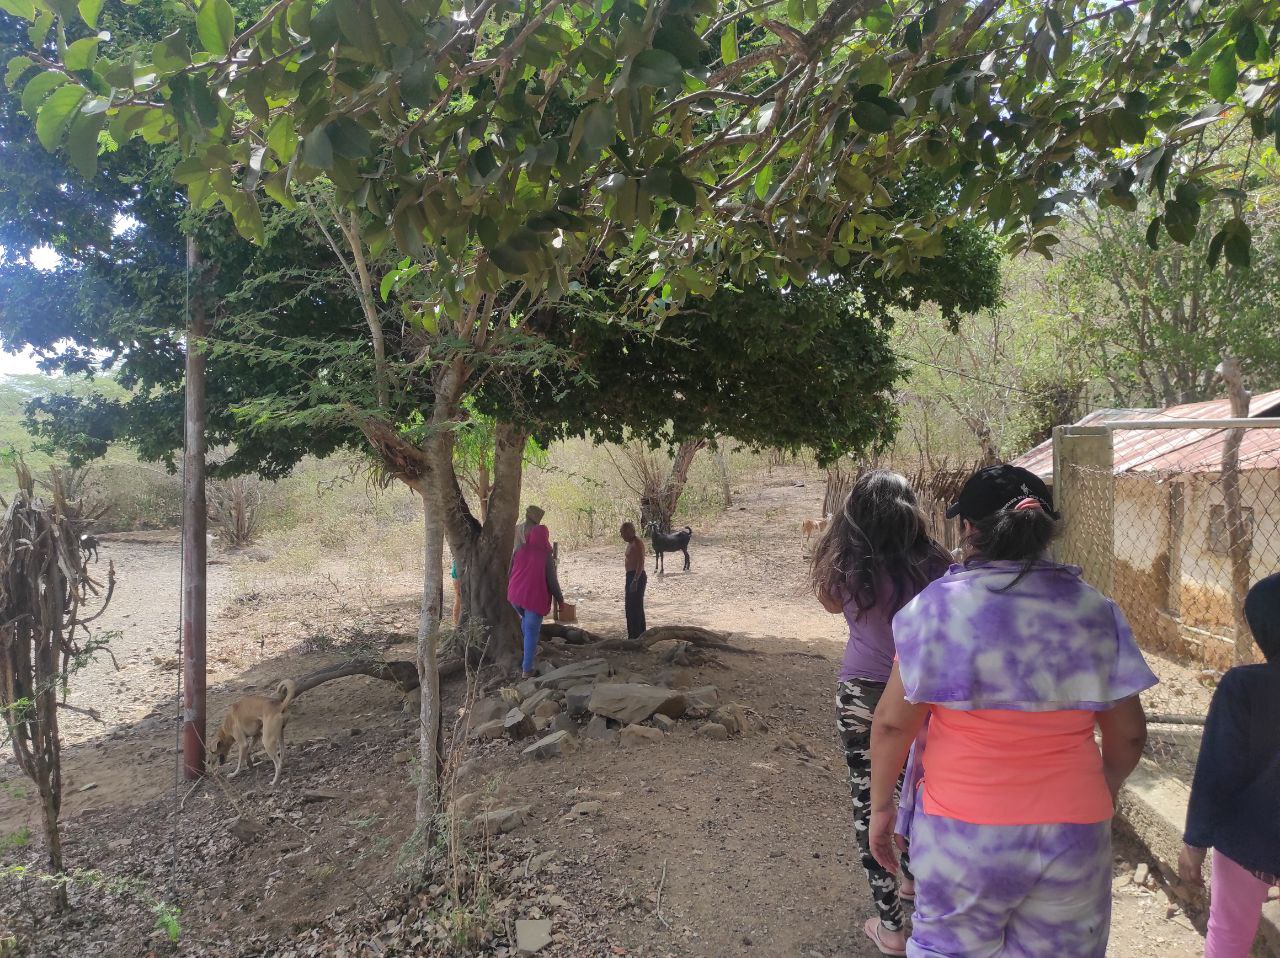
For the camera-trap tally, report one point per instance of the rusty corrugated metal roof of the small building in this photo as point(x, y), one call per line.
point(1176, 450)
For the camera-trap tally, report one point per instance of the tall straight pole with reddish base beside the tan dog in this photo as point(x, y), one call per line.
point(195, 546)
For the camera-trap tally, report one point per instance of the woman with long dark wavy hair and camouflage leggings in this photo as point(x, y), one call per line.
point(875, 558)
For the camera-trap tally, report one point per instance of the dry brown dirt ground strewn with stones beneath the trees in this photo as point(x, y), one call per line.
point(688, 804)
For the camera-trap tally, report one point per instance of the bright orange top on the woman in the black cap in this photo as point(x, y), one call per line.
point(1004, 768)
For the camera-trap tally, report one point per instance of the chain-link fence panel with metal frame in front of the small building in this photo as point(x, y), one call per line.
point(1174, 522)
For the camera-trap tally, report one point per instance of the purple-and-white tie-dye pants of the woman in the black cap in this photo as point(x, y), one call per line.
point(1011, 891)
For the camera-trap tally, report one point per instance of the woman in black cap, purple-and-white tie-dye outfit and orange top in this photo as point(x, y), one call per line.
point(1013, 662)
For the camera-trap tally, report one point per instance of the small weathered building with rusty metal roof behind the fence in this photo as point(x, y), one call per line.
point(1171, 541)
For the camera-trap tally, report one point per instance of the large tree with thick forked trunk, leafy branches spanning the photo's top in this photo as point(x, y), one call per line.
point(505, 149)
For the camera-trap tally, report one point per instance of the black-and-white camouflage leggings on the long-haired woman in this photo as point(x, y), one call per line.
point(856, 704)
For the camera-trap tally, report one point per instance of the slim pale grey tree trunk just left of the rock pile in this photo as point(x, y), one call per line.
point(428, 668)
